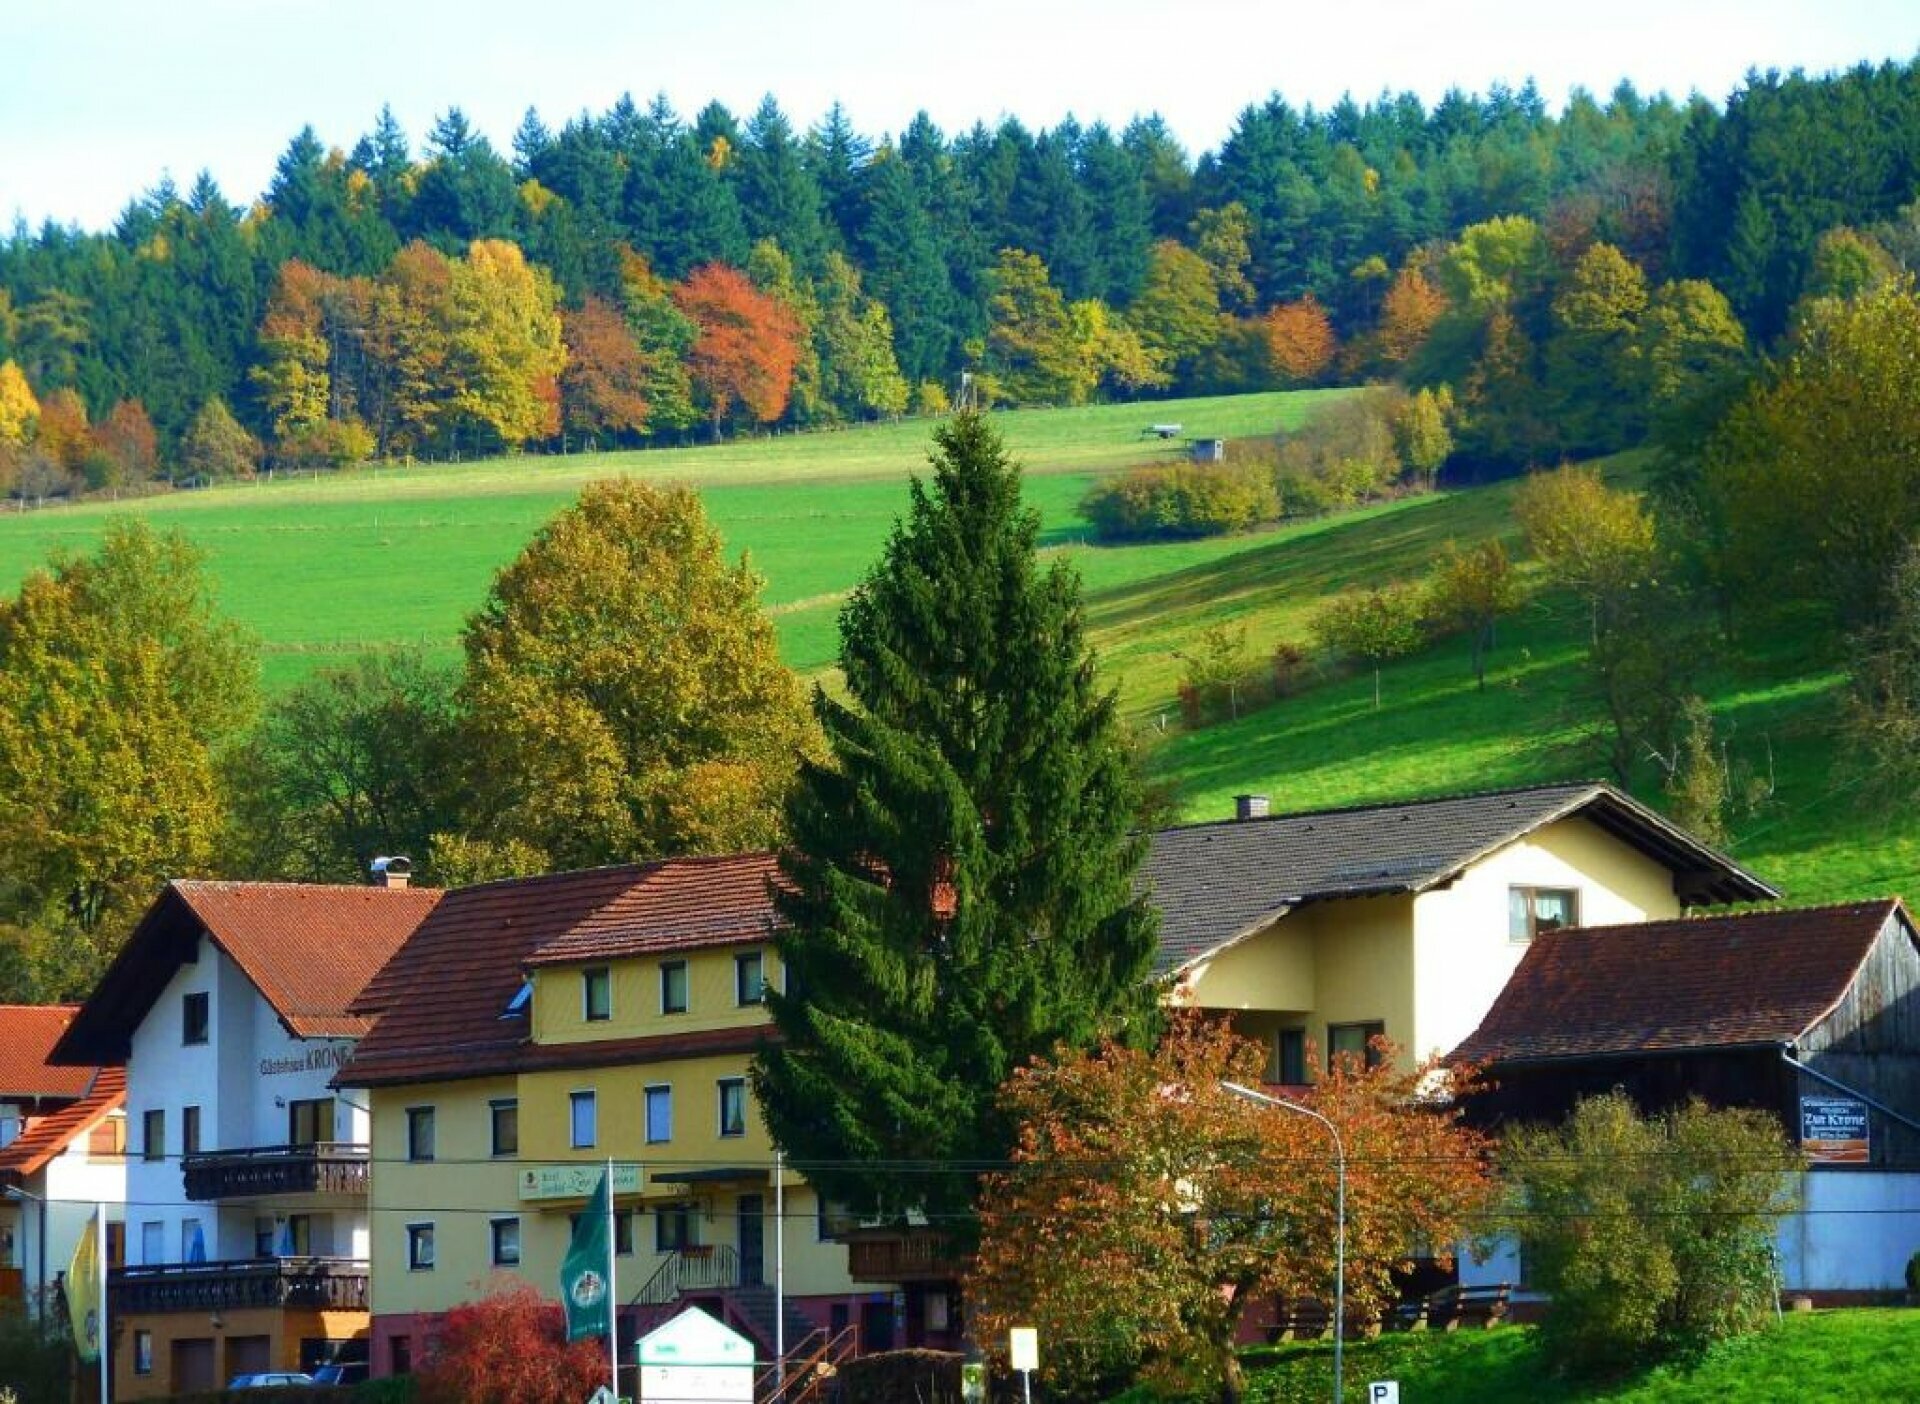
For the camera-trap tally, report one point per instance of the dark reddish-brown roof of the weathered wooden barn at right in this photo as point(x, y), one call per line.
point(1706, 982)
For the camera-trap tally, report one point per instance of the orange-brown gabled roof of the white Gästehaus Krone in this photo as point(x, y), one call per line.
point(308, 948)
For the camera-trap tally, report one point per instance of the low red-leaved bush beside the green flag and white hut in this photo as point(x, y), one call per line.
point(512, 1347)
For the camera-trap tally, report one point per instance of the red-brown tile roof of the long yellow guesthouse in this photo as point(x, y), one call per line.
point(443, 1002)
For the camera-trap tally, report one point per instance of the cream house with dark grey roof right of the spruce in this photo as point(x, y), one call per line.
point(1326, 929)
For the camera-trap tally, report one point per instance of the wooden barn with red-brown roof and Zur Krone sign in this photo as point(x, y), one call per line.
point(1812, 1015)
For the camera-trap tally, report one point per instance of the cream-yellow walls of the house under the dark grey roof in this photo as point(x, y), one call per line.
point(1426, 967)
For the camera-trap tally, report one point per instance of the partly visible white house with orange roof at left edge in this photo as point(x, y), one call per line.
point(62, 1151)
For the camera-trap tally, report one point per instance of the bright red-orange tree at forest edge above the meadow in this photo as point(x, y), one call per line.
point(748, 345)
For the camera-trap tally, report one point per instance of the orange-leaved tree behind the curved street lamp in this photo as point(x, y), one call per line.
point(1149, 1209)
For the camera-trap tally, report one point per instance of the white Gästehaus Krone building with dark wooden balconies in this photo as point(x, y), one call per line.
point(247, 1246)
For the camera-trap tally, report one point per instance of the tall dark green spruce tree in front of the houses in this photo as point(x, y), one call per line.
point(959, 888)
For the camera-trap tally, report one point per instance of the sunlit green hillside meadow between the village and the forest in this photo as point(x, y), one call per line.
point(324, 569)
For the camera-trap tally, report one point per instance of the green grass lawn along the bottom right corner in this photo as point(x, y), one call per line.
point(1865, 1357)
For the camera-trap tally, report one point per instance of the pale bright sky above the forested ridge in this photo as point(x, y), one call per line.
point(103, 99)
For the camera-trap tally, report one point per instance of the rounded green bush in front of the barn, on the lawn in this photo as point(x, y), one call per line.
point(1652, 1236)
